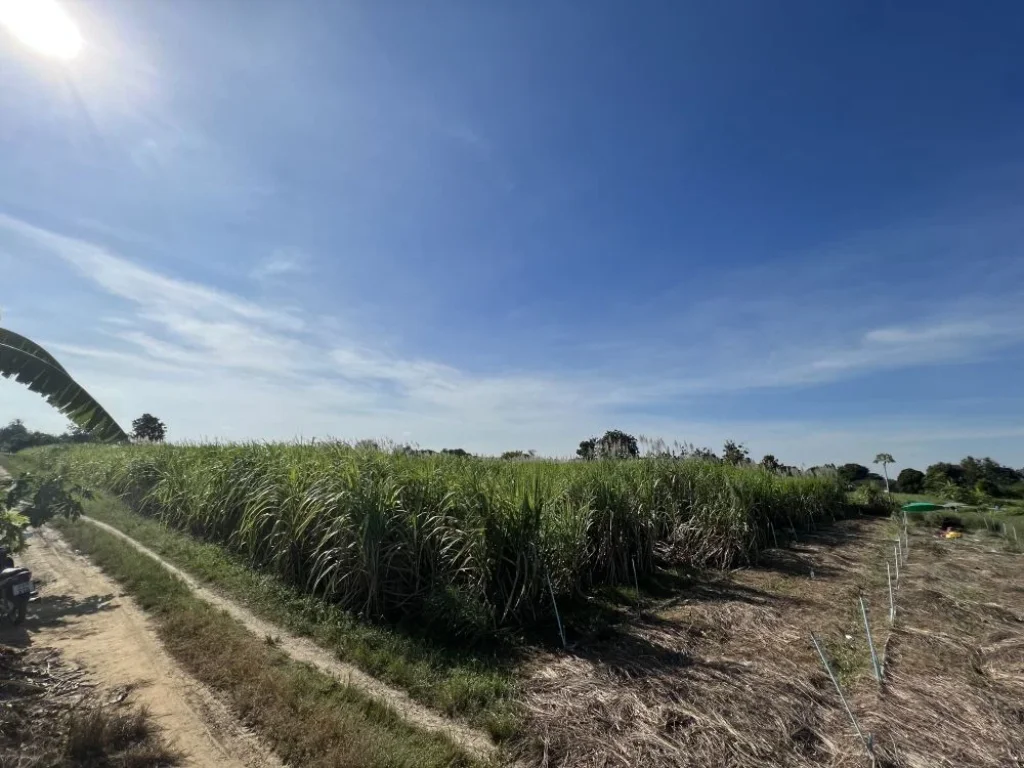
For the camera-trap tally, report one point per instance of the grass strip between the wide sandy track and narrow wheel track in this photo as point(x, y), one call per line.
point(309, 718)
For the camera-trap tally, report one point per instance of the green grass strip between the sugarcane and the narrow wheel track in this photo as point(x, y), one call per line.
point(481, 690)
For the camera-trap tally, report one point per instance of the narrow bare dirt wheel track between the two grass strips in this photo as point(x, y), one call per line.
point(303, 650)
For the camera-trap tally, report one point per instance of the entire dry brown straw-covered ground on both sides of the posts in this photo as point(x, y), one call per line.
point(726, 674)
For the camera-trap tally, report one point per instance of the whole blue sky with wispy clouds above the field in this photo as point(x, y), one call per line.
point(513, 226)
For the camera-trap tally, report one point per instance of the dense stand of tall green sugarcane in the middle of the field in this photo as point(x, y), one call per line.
point(394, 536)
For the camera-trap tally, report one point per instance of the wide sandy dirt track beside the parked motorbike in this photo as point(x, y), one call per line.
point(83, 614)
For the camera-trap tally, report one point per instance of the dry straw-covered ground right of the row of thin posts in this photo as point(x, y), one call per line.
point(955, 667)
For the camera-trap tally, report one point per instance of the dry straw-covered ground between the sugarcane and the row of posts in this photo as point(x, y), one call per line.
point(722, 674)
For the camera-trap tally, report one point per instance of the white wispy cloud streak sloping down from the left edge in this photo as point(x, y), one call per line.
point(196, 330)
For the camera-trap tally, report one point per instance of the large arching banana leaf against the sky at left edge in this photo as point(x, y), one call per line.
point(29, 364)
